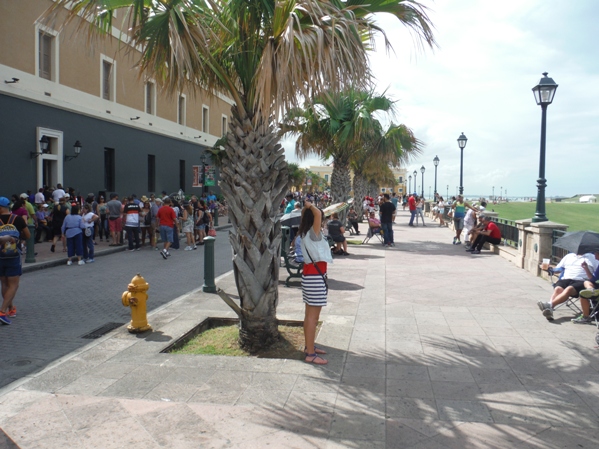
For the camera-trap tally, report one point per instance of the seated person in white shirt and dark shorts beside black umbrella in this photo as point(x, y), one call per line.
point(571, 283)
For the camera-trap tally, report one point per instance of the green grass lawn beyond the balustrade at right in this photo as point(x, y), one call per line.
point(579, 217)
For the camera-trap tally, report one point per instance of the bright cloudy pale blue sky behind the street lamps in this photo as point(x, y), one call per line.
point(479, 80)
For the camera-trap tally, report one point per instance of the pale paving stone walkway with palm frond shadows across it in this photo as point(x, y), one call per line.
point(428, 347)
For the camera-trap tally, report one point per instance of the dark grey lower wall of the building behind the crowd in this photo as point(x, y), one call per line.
point(18, 122)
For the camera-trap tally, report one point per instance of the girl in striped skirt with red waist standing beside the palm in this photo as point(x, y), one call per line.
point(317, 254)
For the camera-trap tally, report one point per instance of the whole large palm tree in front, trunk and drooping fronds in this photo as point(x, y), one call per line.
point(265, 55)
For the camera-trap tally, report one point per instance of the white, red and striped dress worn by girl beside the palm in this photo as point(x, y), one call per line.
point(314, 290)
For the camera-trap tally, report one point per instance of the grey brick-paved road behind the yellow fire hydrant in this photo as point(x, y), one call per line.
point(57, 306)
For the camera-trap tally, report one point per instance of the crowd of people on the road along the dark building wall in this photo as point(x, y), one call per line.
point(73, 223)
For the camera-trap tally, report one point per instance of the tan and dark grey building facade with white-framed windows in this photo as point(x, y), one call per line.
point(56, 87)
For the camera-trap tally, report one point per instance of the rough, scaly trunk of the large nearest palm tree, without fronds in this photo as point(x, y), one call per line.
point(254, 181)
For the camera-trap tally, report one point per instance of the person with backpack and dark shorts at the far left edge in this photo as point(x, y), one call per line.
point(12, 229)
